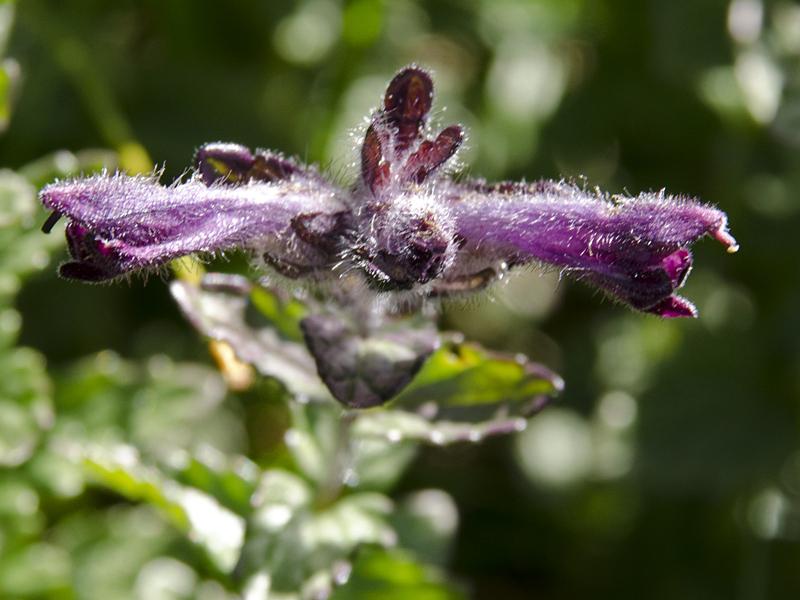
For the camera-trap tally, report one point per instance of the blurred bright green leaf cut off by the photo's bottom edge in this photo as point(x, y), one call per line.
point(394, 575)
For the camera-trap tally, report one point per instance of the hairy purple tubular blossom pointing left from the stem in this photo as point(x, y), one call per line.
point(118, 223)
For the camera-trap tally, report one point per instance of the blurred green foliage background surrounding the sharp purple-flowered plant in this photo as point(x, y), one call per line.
point(670, 469)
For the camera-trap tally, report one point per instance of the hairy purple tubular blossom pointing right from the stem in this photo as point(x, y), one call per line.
point(634, 249)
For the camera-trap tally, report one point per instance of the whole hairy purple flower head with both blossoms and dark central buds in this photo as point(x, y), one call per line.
point(405, 226)
